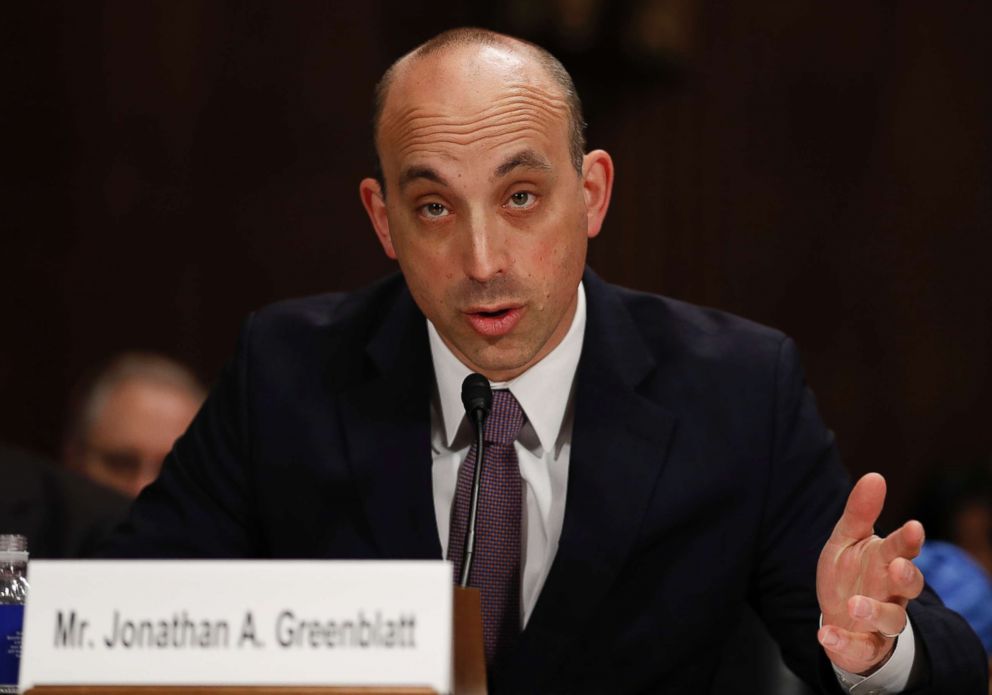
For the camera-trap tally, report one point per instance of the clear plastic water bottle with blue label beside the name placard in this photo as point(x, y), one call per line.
point(13, 593)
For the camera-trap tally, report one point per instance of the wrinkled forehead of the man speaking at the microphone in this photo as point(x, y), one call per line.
point(470, 101)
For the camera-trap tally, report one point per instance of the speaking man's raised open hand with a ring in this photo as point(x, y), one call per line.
point(864, 582)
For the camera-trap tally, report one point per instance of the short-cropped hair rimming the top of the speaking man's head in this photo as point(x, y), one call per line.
point(454, 39)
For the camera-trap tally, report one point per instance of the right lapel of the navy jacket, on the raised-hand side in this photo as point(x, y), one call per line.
point(618, 440)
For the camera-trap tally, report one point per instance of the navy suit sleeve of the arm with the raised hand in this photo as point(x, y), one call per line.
point(806, 492)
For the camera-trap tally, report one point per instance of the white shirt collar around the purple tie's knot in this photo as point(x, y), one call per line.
point(543, 391)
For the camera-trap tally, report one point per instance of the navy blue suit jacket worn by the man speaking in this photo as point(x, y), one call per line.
point(701, 477)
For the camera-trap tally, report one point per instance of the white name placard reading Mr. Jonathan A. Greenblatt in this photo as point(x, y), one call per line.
point(184, 622)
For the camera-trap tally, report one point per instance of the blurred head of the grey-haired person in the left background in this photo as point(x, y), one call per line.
point(125, 418)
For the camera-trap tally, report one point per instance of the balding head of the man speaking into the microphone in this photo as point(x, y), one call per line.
point(492, 201)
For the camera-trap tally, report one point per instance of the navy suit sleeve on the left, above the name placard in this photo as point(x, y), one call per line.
point(202, 504)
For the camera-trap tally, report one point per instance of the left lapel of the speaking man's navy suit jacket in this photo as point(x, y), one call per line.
point(386, 421)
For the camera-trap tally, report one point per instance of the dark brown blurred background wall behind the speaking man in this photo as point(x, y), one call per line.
point(821, 167)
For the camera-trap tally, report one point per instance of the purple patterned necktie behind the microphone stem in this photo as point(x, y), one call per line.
point(496, 565)
